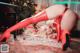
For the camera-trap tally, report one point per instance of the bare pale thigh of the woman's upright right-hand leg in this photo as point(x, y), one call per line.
point(68, 20)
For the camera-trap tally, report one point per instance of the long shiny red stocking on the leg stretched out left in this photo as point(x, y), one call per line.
point(42, 16)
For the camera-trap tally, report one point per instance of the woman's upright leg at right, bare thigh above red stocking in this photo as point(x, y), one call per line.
point(67, 23)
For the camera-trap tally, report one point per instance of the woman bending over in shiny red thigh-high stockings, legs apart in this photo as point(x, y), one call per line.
point(64, 17)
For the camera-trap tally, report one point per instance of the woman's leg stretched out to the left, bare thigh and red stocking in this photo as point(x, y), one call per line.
point(49, 13)
